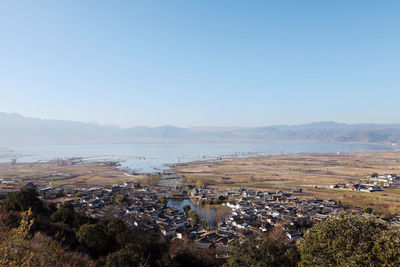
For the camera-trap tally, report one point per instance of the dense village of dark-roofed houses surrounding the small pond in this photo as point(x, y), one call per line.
point(252, 213)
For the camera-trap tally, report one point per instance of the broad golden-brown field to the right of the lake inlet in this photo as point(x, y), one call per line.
point(312, 172)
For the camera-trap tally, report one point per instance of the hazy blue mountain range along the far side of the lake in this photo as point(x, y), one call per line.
point(19, 130)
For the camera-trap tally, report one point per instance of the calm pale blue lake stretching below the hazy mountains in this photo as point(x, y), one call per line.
point(152, 157)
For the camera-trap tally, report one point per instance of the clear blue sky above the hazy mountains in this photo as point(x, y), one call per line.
point(201, 63)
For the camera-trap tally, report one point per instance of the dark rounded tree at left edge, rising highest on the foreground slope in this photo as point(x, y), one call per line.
point(25, 199)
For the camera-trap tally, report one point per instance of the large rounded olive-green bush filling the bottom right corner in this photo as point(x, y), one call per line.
point(350, 241)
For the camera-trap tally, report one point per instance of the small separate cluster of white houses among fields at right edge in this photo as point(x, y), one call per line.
point(371, 184)
